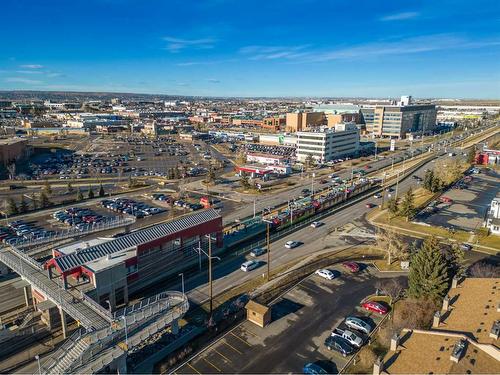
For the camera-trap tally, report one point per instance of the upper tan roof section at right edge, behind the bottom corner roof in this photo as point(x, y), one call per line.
point(474, 308)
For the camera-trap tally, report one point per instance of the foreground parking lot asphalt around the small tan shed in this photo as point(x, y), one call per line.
point(301, 321)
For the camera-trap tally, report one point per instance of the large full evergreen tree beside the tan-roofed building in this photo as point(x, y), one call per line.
point(429, 276)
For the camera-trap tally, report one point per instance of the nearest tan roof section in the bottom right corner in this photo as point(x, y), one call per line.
point(427, 352)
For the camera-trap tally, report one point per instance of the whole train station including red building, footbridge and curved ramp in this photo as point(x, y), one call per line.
point(87, 285)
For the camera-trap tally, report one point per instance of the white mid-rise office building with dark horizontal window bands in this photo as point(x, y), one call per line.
point(329, 144)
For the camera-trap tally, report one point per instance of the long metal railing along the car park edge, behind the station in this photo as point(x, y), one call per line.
point(111, 223)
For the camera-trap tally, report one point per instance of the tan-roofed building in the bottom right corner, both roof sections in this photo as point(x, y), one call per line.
point(463, 338)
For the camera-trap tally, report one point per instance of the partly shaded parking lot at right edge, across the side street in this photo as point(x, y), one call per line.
point(468, 205)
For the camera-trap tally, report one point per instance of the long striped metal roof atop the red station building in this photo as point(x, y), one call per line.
point(78, 258)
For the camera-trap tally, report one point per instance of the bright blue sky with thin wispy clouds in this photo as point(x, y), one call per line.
point(374, 48)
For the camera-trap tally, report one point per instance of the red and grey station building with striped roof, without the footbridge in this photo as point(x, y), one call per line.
point(110, 269)
